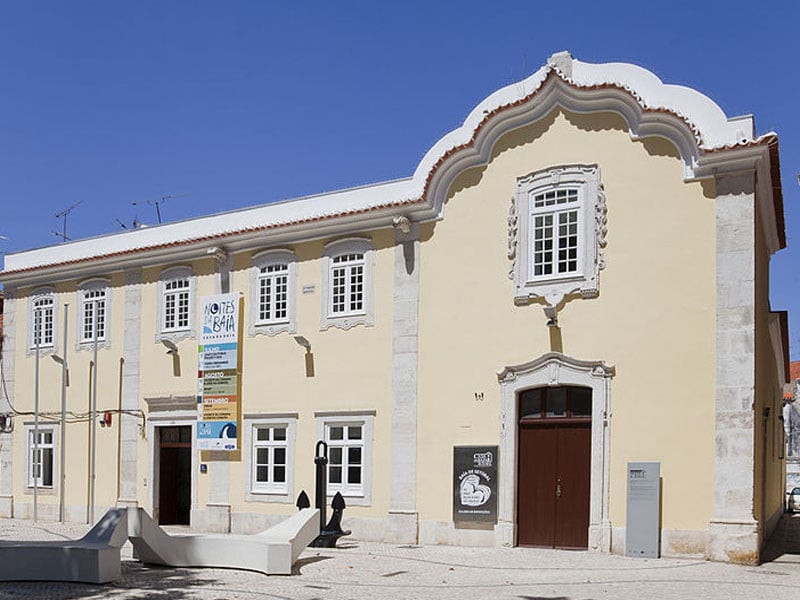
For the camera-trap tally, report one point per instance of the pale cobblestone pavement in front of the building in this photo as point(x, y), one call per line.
point(374, 571)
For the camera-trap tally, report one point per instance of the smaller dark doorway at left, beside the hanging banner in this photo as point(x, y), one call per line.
point(175, 475)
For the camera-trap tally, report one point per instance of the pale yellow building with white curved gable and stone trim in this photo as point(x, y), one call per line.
point(574, 280)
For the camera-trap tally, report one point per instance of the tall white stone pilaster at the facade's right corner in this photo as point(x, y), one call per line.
point(733, 530)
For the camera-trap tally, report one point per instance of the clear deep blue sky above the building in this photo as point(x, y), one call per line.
point(229, 104)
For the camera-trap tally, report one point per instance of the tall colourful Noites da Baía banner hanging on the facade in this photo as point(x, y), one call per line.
point(218, 374)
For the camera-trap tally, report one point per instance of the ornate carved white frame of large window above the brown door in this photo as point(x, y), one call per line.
point(590, 206)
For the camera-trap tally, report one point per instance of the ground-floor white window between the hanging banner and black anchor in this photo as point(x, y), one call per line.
point(270, 439)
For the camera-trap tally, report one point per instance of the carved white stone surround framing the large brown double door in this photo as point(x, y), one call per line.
point(556, 369)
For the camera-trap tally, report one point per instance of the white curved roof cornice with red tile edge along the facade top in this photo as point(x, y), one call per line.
point(707, 140)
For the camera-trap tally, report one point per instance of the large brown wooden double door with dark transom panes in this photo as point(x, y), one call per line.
point(554, 468)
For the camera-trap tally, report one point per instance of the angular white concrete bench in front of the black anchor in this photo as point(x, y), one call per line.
point(272, 552)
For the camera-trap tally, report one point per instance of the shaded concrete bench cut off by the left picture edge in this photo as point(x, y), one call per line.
point(95, 558)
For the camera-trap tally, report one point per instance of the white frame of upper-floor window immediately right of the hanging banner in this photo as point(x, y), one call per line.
point(268, 259)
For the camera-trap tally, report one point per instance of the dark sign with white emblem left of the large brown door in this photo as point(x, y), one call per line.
point(475, 483)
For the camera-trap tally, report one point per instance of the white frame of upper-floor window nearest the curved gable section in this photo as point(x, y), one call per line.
point(348, 318)
